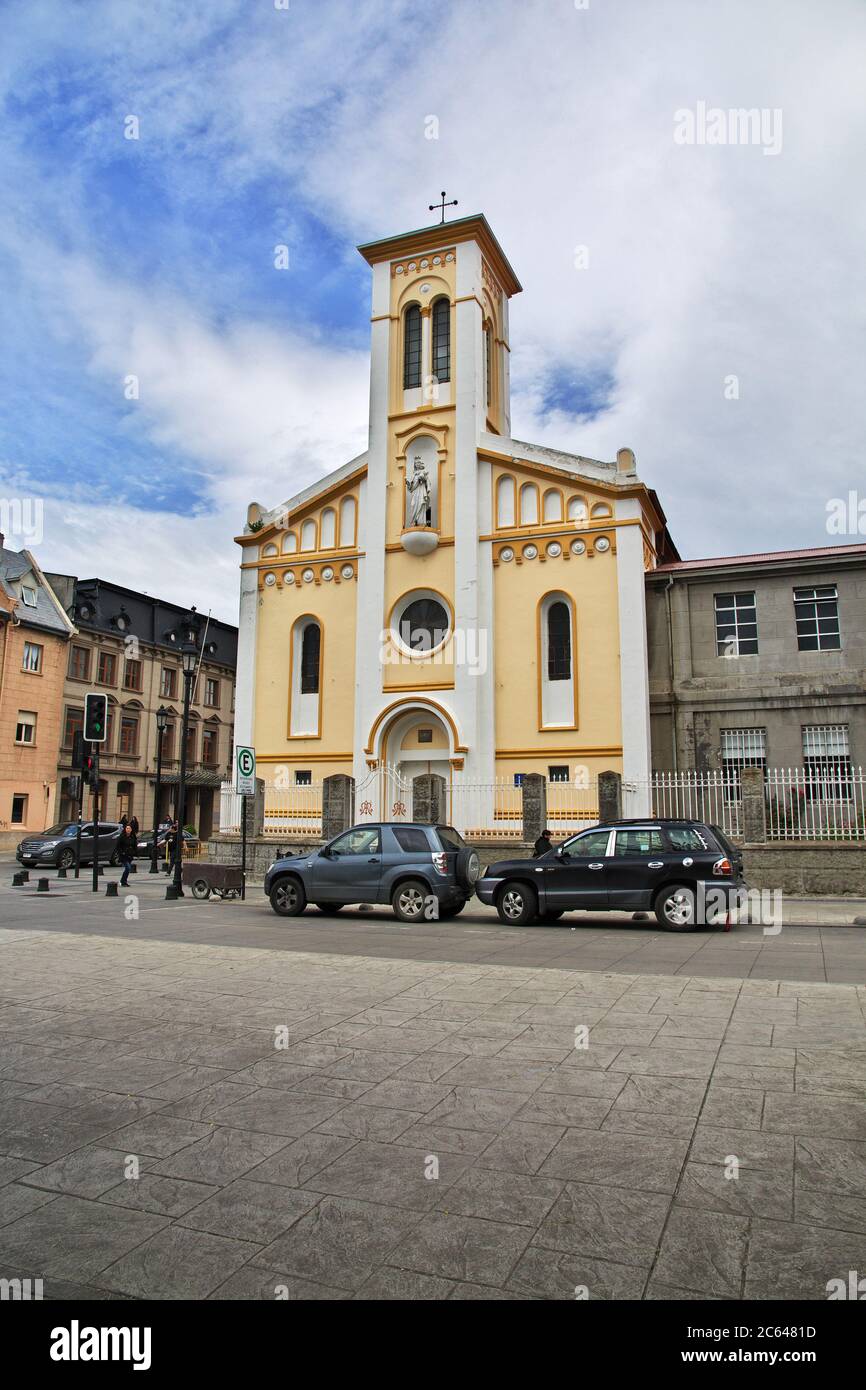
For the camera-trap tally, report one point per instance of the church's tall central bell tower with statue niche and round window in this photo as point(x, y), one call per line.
point(439, 384)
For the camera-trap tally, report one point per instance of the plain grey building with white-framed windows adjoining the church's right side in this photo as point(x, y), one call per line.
point(760, 661)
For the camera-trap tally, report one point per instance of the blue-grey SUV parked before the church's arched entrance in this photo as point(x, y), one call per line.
point(405, 865)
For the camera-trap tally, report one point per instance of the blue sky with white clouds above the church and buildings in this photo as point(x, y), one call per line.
point(309, 129)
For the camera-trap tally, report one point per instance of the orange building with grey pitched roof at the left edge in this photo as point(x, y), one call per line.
point(35, 636)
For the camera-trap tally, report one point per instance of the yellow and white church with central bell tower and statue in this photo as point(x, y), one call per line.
point(452, 601)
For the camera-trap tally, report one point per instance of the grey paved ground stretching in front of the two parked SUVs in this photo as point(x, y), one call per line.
point(205, 1102)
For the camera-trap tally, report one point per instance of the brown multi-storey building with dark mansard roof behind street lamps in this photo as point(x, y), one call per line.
point(123, 647)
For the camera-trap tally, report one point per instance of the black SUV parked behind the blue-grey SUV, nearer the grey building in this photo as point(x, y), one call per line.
point(664, 867)
